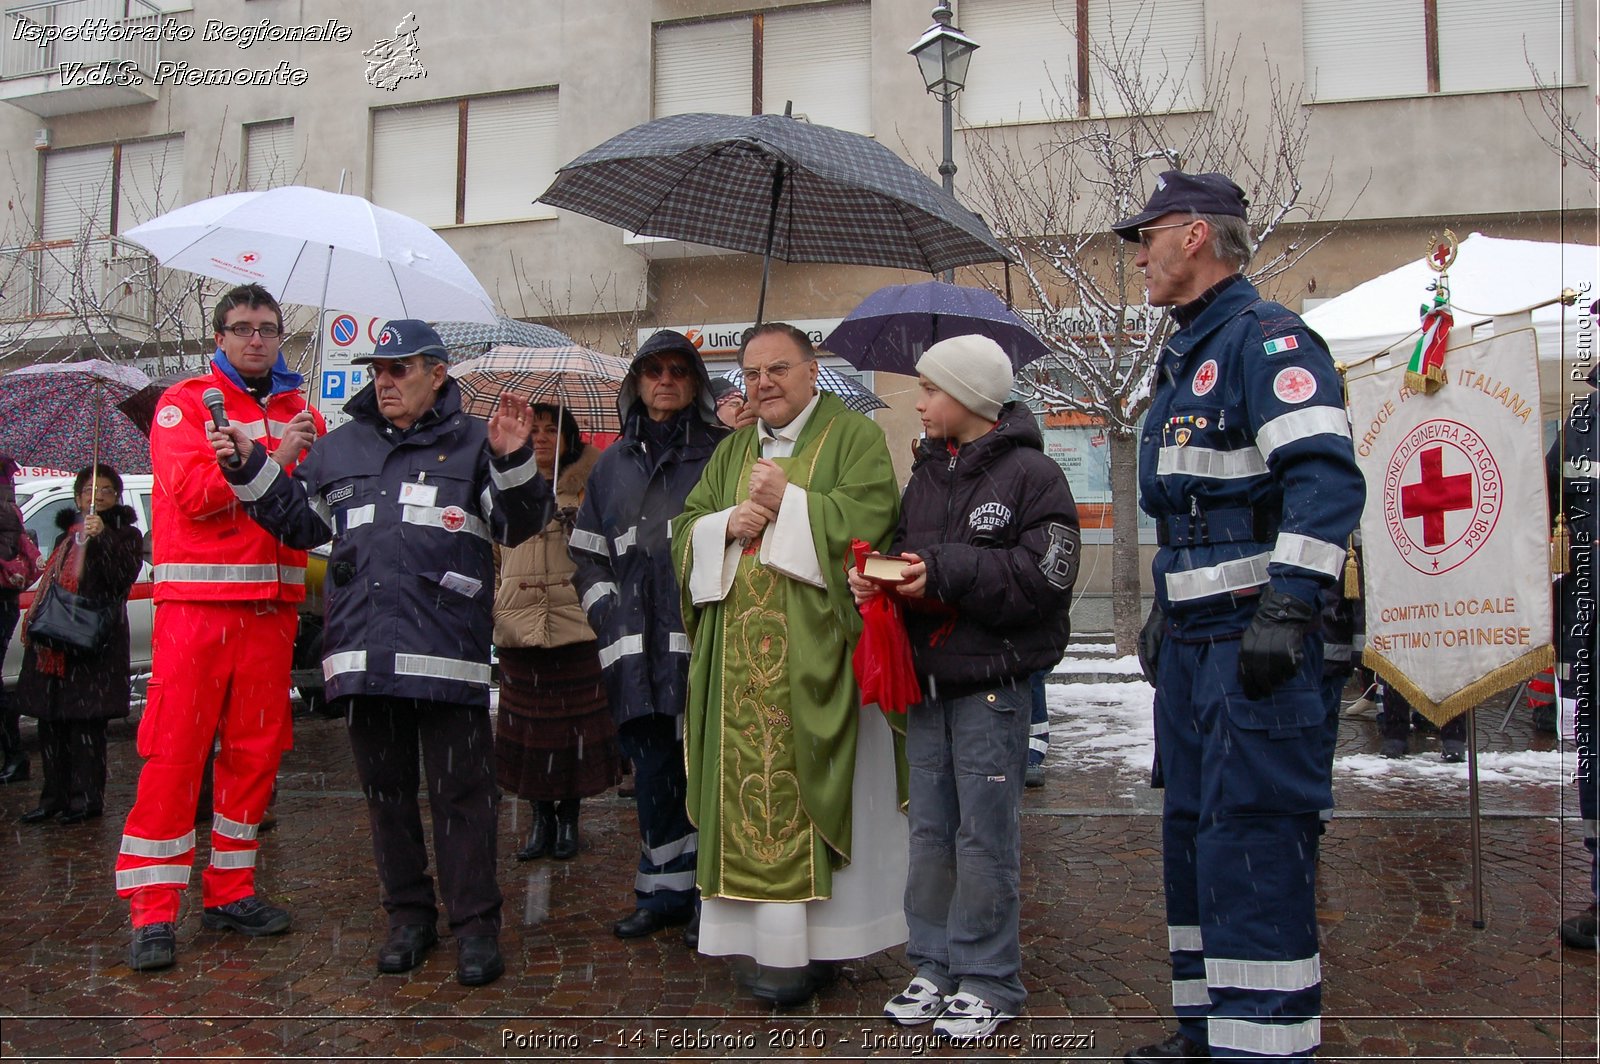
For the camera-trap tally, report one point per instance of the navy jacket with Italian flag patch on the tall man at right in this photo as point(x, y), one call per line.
point(1247, 460)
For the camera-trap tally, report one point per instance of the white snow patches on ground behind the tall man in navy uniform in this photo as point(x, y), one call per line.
point(1111, 724)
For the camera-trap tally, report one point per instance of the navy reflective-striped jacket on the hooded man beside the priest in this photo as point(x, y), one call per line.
point(623, 558)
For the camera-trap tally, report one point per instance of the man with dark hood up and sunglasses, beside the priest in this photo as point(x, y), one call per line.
point(622, 546)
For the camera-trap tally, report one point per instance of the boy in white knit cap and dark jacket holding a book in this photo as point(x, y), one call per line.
point(990, 534)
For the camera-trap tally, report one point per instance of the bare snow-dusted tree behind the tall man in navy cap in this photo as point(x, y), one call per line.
point(1052, 199)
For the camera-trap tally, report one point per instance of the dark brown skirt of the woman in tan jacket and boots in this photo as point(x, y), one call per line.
point(554, 738)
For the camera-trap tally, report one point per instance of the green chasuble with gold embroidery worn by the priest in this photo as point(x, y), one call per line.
point(770, 726)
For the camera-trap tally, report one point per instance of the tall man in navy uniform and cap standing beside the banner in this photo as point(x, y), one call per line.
point(1247, 466)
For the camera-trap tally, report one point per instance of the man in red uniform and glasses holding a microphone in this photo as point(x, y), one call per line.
point(223, 641)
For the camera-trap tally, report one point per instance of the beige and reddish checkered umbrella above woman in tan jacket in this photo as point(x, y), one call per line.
point(583, 382)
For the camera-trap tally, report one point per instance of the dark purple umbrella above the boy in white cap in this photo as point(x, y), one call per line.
point(895, 326)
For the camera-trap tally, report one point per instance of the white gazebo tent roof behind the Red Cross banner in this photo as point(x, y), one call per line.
point(1489, 278)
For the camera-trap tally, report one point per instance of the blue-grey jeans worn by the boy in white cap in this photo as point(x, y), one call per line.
point(969, 759)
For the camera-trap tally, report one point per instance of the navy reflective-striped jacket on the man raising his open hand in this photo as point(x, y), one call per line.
point(410, 585)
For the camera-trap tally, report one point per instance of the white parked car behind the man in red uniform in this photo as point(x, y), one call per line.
point(42, 498)
